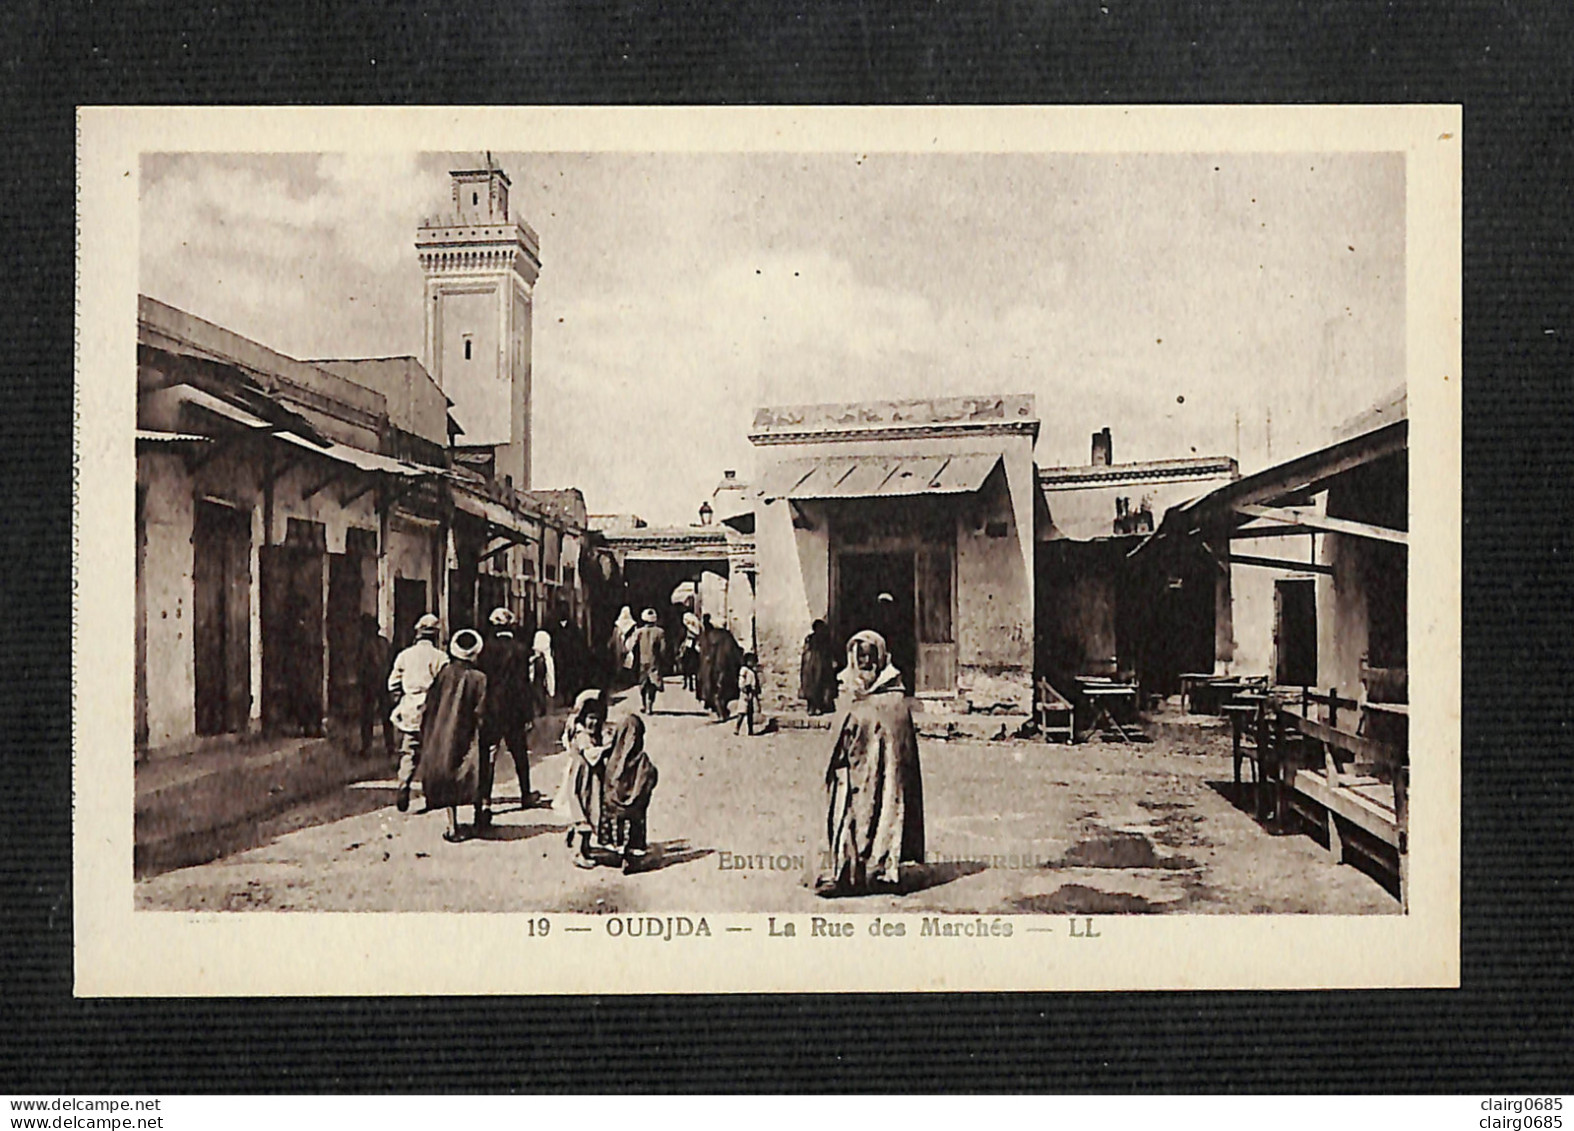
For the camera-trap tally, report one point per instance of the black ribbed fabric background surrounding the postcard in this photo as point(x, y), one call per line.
point(1509, 1030)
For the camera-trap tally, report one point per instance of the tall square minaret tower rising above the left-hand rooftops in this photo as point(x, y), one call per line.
point(481, 271)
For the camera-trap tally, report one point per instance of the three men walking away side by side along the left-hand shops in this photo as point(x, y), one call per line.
point(456, 710)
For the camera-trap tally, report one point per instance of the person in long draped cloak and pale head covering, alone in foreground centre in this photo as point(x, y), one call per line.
point(874, 819)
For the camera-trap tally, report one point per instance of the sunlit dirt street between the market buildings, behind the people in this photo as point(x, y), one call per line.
point(736, 827)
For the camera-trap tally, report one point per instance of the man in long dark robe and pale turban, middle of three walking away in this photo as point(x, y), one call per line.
point(449, 732)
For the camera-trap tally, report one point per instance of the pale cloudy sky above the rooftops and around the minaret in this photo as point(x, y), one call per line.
point(1197, 306)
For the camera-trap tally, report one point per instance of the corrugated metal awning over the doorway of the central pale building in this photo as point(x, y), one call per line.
point(874, 477)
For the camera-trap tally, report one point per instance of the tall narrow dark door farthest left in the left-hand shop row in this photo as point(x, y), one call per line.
point(221, 617)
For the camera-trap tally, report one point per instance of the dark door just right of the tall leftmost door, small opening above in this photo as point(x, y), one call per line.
point(294, 632)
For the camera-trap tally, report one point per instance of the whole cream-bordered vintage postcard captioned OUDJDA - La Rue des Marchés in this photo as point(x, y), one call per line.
point(758, 550)
